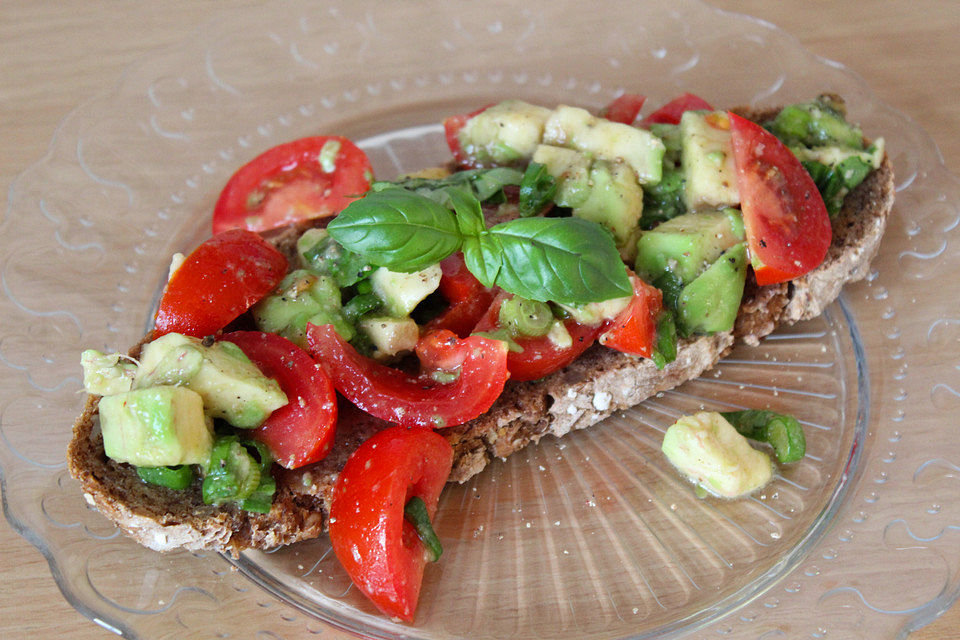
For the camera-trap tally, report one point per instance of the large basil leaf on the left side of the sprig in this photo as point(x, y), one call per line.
point(397, 229)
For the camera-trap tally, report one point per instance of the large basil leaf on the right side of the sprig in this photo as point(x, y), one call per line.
point(565, 260)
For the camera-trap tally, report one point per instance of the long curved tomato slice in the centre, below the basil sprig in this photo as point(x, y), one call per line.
point(408, 400)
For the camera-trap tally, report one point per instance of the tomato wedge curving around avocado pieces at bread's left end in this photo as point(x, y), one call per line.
point(300, 432)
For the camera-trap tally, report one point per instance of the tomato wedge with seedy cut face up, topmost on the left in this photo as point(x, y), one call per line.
point(308, 178)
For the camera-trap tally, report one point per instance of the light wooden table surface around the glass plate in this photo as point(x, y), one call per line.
point(54, 54)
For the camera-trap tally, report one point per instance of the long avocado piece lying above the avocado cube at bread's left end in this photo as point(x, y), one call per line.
point(232, 387)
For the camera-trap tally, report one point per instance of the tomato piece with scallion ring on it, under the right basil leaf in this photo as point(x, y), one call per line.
point(540, 355)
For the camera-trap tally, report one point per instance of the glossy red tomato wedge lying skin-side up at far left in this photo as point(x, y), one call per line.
point(221, 279)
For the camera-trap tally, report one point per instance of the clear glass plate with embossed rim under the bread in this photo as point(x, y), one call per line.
point(590, 536)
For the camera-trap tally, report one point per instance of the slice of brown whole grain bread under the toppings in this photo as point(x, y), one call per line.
point(596, 385)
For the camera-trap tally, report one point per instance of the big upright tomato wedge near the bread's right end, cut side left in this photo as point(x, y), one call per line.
point(787, 224)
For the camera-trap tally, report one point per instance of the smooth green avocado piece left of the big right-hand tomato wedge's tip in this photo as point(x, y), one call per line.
point(710, 303)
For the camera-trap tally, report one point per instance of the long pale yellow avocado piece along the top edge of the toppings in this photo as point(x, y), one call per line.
point(578, 129)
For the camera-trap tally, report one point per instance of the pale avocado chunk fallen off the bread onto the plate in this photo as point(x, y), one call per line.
point(710, 452)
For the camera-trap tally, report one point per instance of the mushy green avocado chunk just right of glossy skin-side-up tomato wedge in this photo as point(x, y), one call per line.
point(302, 297)
